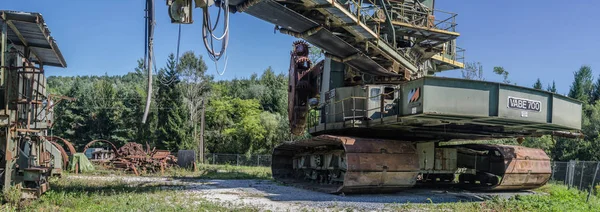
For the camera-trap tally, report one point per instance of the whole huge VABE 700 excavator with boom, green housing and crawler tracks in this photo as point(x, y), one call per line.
point(378, 120)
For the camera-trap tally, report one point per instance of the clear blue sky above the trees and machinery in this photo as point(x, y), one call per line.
point(530, 39)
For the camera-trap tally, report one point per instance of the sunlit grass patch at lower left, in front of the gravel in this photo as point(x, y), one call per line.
point(89, 195)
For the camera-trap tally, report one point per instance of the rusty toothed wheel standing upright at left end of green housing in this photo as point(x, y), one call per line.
point(300, 87)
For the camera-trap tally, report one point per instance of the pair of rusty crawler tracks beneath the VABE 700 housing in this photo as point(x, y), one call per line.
point(336, 164)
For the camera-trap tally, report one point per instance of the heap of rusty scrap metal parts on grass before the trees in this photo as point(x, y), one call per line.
point(132, 157)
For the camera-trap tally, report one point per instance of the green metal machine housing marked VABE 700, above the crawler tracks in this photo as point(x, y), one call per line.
point(437, 108)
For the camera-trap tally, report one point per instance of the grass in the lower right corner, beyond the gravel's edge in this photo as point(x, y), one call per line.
point(553, 197)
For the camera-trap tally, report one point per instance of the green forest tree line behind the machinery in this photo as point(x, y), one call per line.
point(245, 116)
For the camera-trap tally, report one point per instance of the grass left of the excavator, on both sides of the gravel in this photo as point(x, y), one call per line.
point(89, 195)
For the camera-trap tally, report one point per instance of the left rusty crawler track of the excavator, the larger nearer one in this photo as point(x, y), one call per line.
point(370, 165)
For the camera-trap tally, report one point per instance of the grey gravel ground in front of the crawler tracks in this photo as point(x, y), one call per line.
point(268, 195)
